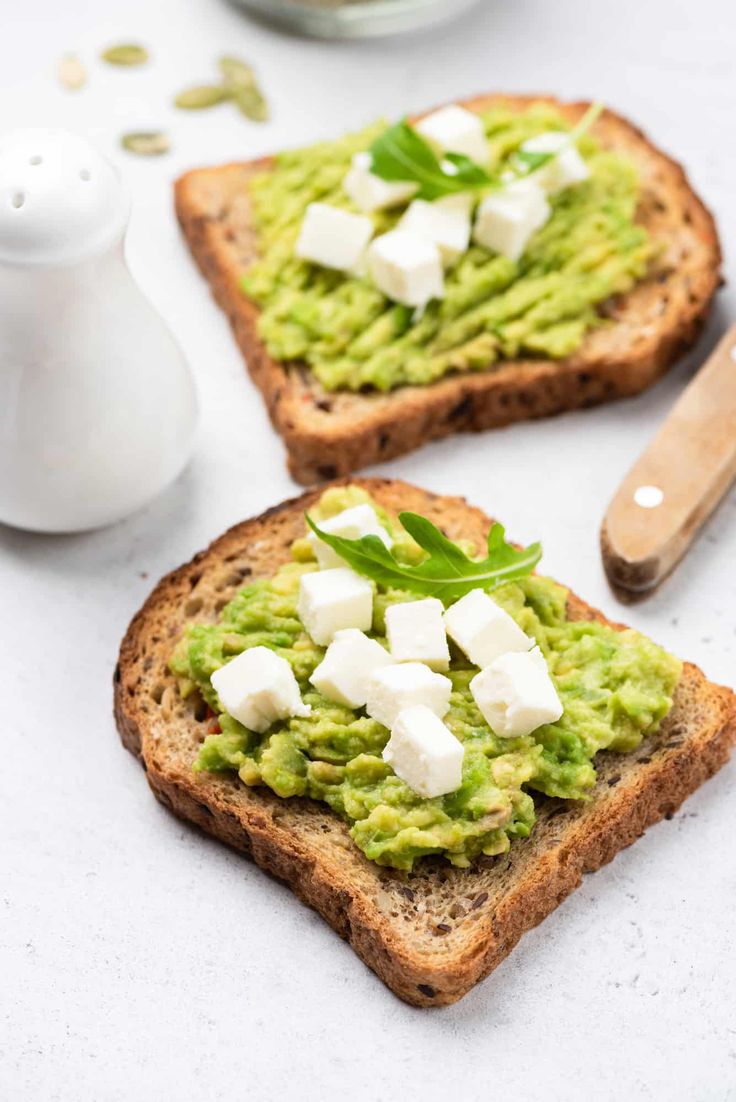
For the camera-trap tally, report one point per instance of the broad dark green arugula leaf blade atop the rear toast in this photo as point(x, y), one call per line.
point(401, 154)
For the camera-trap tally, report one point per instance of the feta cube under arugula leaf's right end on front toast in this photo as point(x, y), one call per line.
point(483, 630)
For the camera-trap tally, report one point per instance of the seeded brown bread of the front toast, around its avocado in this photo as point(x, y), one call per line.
point(434, 934)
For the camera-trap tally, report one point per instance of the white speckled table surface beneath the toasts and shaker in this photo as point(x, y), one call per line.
point(139, 960)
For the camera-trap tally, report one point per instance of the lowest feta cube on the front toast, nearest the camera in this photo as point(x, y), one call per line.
point(425, 753)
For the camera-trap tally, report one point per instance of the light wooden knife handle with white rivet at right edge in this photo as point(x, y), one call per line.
point(674, 488)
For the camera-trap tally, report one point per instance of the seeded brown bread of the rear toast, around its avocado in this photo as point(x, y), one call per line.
point(329, 435)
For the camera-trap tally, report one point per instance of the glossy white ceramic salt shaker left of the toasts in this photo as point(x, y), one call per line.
point(98, 405)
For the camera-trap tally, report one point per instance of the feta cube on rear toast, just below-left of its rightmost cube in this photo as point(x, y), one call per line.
point(508, 218)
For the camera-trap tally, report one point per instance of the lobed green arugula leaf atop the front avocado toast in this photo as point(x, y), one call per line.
point(447, 574)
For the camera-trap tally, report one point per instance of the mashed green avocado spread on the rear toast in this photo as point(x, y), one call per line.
point(494, 309)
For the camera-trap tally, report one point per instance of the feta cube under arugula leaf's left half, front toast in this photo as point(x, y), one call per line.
point(333, 600)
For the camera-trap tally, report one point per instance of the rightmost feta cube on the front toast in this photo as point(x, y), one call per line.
point(516, 694)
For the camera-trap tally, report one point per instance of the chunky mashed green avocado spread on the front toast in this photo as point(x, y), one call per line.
point(615, 688)
